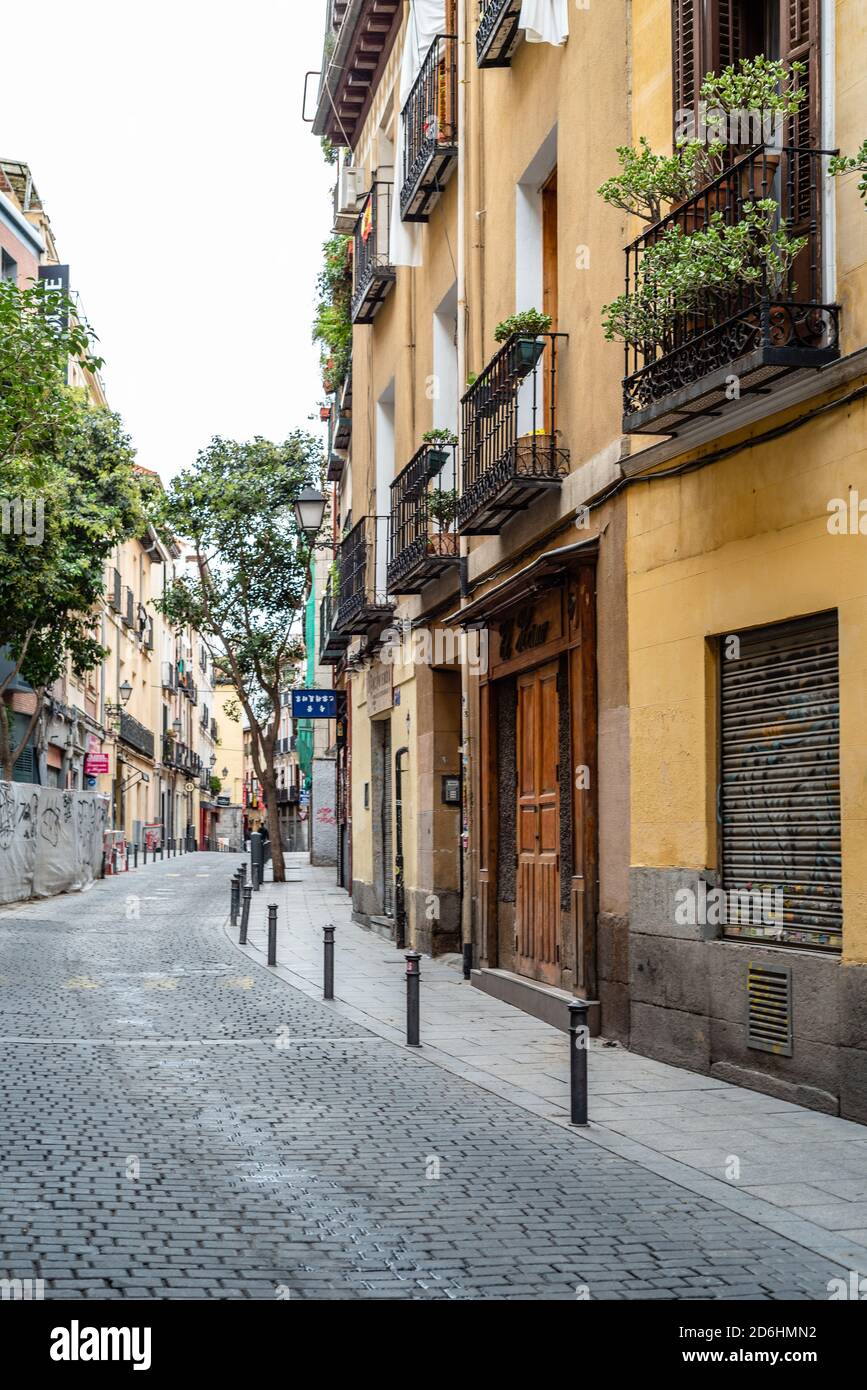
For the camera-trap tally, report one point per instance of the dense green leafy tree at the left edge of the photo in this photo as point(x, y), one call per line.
point(69, 494)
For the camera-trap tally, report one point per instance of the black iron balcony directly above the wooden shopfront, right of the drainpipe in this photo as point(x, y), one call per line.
point(511, 439)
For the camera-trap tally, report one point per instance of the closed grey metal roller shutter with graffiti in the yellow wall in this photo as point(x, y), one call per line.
point(780, 782)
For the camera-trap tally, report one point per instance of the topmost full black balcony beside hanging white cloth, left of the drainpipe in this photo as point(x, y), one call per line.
point(430, 131)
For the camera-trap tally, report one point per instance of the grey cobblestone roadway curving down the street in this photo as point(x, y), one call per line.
point(183, 1124)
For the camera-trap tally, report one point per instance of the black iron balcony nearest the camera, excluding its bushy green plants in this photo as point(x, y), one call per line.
point(754, 336)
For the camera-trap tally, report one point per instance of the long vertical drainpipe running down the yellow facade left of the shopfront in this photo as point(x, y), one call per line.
point(466, 876)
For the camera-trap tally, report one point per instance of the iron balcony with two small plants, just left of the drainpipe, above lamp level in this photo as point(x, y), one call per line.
point(423, 539)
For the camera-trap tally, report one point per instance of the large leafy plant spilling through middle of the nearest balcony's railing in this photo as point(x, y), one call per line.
point(686, 272)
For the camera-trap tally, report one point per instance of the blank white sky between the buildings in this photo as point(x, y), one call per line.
point(190, 199)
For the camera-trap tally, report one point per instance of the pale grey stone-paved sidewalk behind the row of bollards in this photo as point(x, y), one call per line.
point(793, 1171)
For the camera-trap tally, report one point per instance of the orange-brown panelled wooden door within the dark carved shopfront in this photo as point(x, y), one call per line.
point(538, 825)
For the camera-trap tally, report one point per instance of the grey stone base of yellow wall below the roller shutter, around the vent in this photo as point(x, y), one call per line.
point(690, 1004)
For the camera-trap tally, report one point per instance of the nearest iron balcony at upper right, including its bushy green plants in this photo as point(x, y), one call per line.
point(725, 287)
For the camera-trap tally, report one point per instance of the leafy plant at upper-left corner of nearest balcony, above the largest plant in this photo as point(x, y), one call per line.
point(650, 183)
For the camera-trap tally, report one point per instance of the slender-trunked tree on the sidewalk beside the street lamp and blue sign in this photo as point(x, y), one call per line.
point(251, 580)
